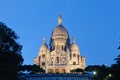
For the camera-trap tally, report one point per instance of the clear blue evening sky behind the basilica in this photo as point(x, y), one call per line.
point(94, 23)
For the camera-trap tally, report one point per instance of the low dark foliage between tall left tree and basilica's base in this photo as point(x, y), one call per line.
point(31, 69)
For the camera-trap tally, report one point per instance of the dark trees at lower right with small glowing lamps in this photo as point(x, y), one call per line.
point(106, 73)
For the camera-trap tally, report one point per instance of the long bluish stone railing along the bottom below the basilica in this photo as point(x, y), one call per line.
point(55, 77)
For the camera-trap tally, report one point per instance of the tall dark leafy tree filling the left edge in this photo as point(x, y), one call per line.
point(10, 53)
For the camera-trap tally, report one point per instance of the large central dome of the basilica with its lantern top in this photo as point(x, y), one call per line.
point(60, 29)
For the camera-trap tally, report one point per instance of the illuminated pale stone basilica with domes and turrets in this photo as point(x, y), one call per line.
point(62, 55)
